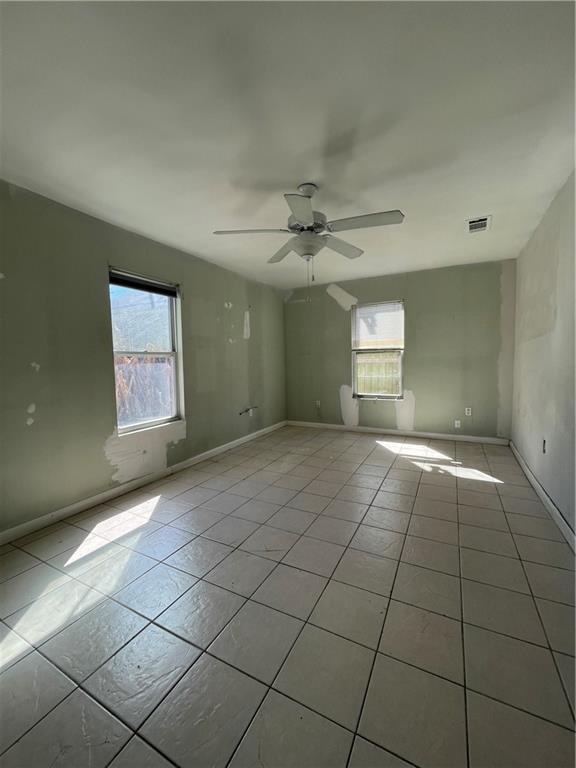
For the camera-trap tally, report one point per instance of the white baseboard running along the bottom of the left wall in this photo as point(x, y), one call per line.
point(10, 534)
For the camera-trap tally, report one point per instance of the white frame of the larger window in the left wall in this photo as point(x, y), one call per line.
point(129, 279)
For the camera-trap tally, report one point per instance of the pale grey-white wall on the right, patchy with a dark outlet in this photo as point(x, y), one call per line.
point(543, 402)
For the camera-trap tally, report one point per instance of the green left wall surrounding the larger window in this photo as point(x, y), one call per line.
point(57, 411)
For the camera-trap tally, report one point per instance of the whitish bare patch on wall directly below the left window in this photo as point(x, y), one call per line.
point(143, 452)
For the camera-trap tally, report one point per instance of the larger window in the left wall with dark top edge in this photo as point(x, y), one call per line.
point(145, 357)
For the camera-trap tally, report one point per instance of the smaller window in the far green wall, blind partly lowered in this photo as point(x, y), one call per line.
point(377, 349)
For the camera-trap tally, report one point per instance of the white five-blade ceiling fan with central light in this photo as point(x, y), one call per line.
point(312, 231)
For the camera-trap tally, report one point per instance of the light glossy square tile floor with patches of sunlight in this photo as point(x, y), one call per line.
point(311, 599)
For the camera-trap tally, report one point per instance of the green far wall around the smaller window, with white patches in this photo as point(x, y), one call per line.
point(458, 338)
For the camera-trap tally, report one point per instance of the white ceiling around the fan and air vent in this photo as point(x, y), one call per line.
point(174, 119)
